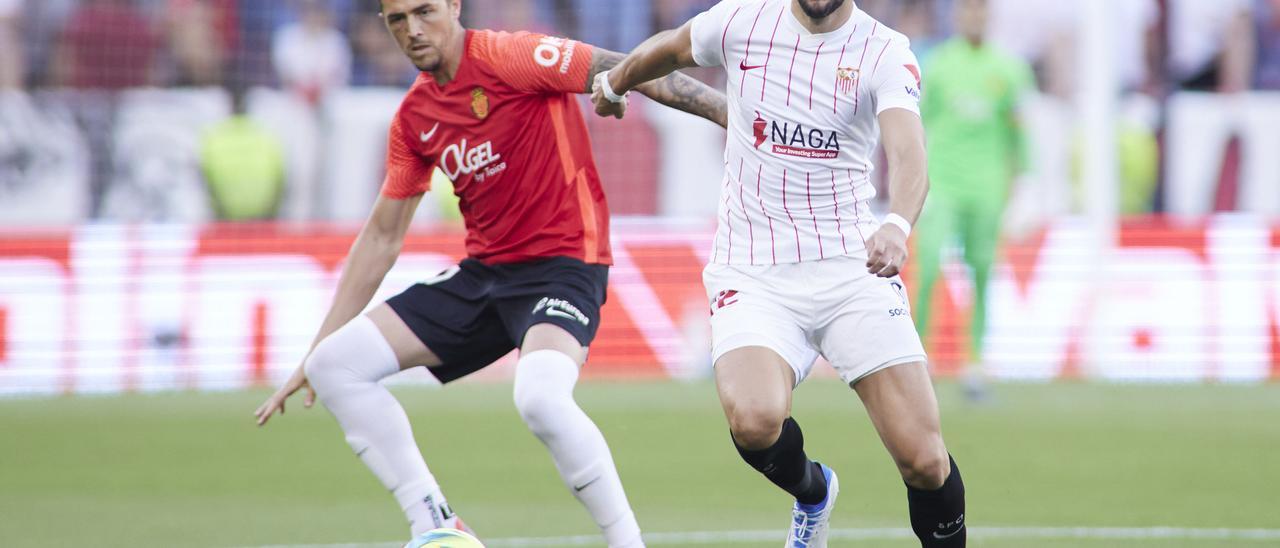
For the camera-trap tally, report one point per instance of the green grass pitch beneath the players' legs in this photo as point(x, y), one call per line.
point(191, 471)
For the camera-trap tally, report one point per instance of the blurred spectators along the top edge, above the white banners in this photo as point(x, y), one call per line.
point(1208, 45)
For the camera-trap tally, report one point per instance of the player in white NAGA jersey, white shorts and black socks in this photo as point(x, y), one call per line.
point(801, 267)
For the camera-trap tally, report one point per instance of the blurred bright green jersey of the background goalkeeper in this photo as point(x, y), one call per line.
point(971, 104)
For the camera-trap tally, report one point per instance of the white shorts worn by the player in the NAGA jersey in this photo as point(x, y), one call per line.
point(833, 308)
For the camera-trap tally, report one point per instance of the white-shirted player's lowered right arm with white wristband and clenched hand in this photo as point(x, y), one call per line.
point(903, 138)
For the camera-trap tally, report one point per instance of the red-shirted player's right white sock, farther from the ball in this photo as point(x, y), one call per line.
point(545, 398)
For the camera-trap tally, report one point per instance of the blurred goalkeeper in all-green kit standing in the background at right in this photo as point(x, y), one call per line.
point(972, 97)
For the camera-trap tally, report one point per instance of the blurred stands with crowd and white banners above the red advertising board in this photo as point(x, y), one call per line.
point(127, 109)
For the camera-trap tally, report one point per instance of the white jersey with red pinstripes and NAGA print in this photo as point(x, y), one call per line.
point(803, 129)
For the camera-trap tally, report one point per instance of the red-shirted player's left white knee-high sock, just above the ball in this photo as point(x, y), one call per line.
point(345, 371)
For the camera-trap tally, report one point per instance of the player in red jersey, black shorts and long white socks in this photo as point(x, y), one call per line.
point(496, 113)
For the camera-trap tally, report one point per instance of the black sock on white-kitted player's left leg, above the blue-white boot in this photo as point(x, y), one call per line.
point(787, 465)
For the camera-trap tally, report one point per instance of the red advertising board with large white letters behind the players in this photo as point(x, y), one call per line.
point(120, 309)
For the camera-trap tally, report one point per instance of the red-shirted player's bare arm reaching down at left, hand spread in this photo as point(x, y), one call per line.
point(371, 259)
